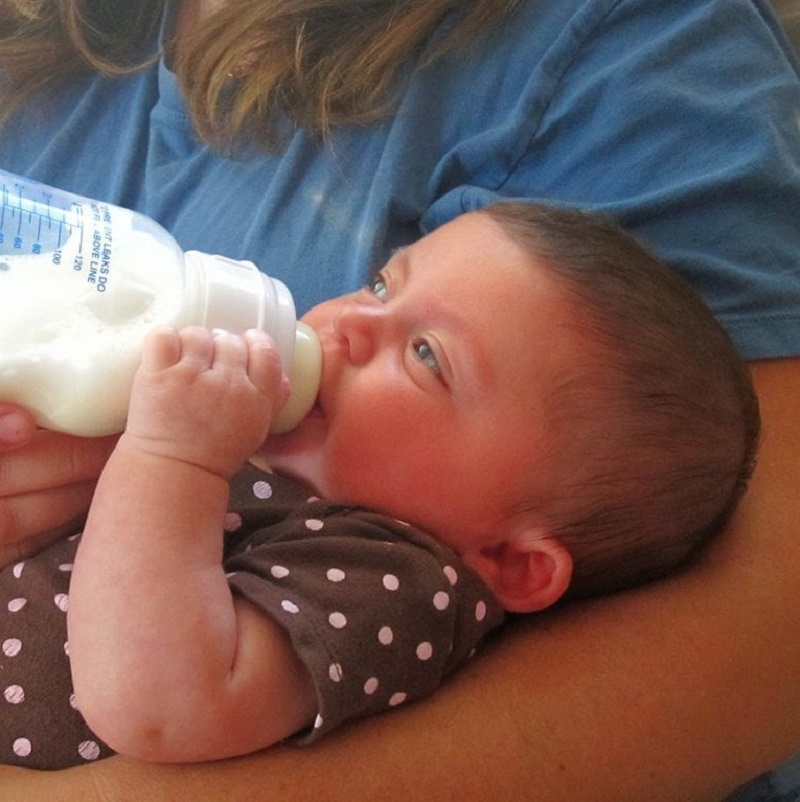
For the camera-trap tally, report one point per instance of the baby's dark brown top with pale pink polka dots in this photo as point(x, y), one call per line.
point(378, 611)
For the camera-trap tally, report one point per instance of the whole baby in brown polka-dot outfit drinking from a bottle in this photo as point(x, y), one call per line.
point(522, 407)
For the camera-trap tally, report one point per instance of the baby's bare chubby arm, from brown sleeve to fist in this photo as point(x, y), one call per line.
point(168, 664)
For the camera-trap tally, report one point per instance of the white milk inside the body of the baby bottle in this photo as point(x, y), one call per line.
point(72, 323)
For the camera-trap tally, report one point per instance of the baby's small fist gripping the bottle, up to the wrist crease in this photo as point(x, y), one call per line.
point(205, 399)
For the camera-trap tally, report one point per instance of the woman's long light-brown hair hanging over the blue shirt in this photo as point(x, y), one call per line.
point(251, 67)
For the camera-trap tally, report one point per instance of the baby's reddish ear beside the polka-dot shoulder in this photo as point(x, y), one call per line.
point(526, 574)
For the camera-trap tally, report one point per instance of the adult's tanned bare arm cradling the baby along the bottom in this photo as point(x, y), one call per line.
point(681, 690)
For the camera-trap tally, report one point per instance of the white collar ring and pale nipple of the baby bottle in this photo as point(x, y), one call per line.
point(236, 296)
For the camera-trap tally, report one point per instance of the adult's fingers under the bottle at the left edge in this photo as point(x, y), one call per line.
point(46, 482)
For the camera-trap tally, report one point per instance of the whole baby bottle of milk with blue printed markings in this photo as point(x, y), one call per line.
point(81, 283)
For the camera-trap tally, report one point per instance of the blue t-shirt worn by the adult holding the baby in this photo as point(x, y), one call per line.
point(678, 118)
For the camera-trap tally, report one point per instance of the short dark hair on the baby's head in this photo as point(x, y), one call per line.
point(655, 428)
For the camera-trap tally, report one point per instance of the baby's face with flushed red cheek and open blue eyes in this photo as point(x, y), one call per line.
point(433, 383)
